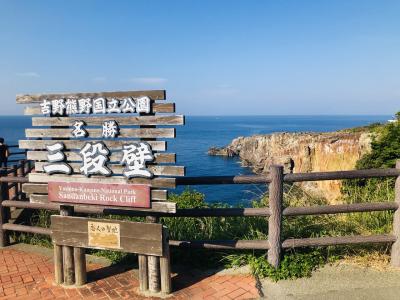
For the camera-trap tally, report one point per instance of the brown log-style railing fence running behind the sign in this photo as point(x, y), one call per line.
point(275, 212)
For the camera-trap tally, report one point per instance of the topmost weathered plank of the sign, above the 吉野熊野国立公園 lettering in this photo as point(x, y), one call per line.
point(32, 98)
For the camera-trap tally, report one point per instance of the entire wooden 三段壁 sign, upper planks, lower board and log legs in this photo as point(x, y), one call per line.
point(103, 149)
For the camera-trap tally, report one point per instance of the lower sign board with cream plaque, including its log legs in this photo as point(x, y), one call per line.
point(79, 233)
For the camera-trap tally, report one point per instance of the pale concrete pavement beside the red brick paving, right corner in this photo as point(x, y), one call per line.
point(336, 283)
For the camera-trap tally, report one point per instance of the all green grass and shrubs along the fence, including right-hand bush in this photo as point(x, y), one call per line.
point(296, 263)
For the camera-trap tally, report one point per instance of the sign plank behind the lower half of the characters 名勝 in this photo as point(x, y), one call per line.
point(97, 133)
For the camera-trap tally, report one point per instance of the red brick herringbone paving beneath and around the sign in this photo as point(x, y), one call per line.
point(29, 275)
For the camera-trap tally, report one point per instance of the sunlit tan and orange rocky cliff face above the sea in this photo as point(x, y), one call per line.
point(301, 152)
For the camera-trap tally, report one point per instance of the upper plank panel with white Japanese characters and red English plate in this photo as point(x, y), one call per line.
point(102, 149)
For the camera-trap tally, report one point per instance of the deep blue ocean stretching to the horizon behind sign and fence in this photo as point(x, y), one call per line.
point(200, 133)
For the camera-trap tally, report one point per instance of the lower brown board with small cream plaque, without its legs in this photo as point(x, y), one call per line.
point(125, 236)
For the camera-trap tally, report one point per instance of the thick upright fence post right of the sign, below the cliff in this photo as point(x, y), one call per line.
point(275, 219)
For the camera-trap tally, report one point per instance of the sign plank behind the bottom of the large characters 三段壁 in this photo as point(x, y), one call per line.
point(118, 169)
